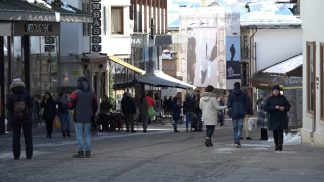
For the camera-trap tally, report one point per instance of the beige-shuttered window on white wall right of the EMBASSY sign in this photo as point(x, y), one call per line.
point(117, 20)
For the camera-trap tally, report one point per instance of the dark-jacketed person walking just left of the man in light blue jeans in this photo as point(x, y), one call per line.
point(63, 113)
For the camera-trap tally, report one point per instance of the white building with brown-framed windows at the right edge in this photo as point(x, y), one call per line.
point(313, 72)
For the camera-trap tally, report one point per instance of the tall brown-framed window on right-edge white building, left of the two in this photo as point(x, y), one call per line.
point(311, 67)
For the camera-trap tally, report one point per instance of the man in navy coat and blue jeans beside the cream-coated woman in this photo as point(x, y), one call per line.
point(238, 103)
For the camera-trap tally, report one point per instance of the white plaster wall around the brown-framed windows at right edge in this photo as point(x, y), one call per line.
point(312, 17)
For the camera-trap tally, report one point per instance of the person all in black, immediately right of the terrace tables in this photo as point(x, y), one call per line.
point(128, 110)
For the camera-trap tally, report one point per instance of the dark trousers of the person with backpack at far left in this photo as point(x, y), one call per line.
point(16, 131)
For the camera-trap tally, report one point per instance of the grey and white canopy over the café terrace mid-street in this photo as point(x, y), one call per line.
point(160, 79)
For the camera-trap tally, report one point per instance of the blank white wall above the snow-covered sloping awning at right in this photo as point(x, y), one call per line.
point(276, 45)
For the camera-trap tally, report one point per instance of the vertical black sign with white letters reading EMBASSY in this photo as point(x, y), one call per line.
point(96, 26)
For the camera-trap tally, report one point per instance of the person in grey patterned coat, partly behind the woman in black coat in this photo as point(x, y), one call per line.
point(262, 121)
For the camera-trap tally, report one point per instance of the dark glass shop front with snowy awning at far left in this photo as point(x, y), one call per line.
point(30, 46)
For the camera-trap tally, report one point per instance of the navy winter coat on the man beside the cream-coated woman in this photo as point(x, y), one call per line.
point(238, 102)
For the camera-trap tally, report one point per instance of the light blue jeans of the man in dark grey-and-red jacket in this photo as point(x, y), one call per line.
point(83, 129)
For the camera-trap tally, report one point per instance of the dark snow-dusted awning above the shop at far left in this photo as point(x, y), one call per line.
point(15, 10)
